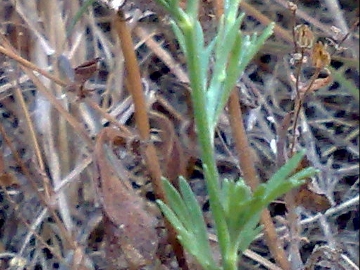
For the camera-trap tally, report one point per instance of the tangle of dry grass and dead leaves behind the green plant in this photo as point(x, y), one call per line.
point(77, 188)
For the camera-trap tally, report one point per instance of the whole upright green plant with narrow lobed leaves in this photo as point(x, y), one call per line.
point(234, 207)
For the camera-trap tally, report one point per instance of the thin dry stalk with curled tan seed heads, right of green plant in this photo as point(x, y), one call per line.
point(303, 39)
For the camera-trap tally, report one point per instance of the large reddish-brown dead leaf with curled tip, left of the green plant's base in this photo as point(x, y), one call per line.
point(129, 228)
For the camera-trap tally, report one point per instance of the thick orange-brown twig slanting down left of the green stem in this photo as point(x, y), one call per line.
point(143, 126)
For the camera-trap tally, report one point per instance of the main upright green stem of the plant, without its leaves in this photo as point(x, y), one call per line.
point(205, 138)
